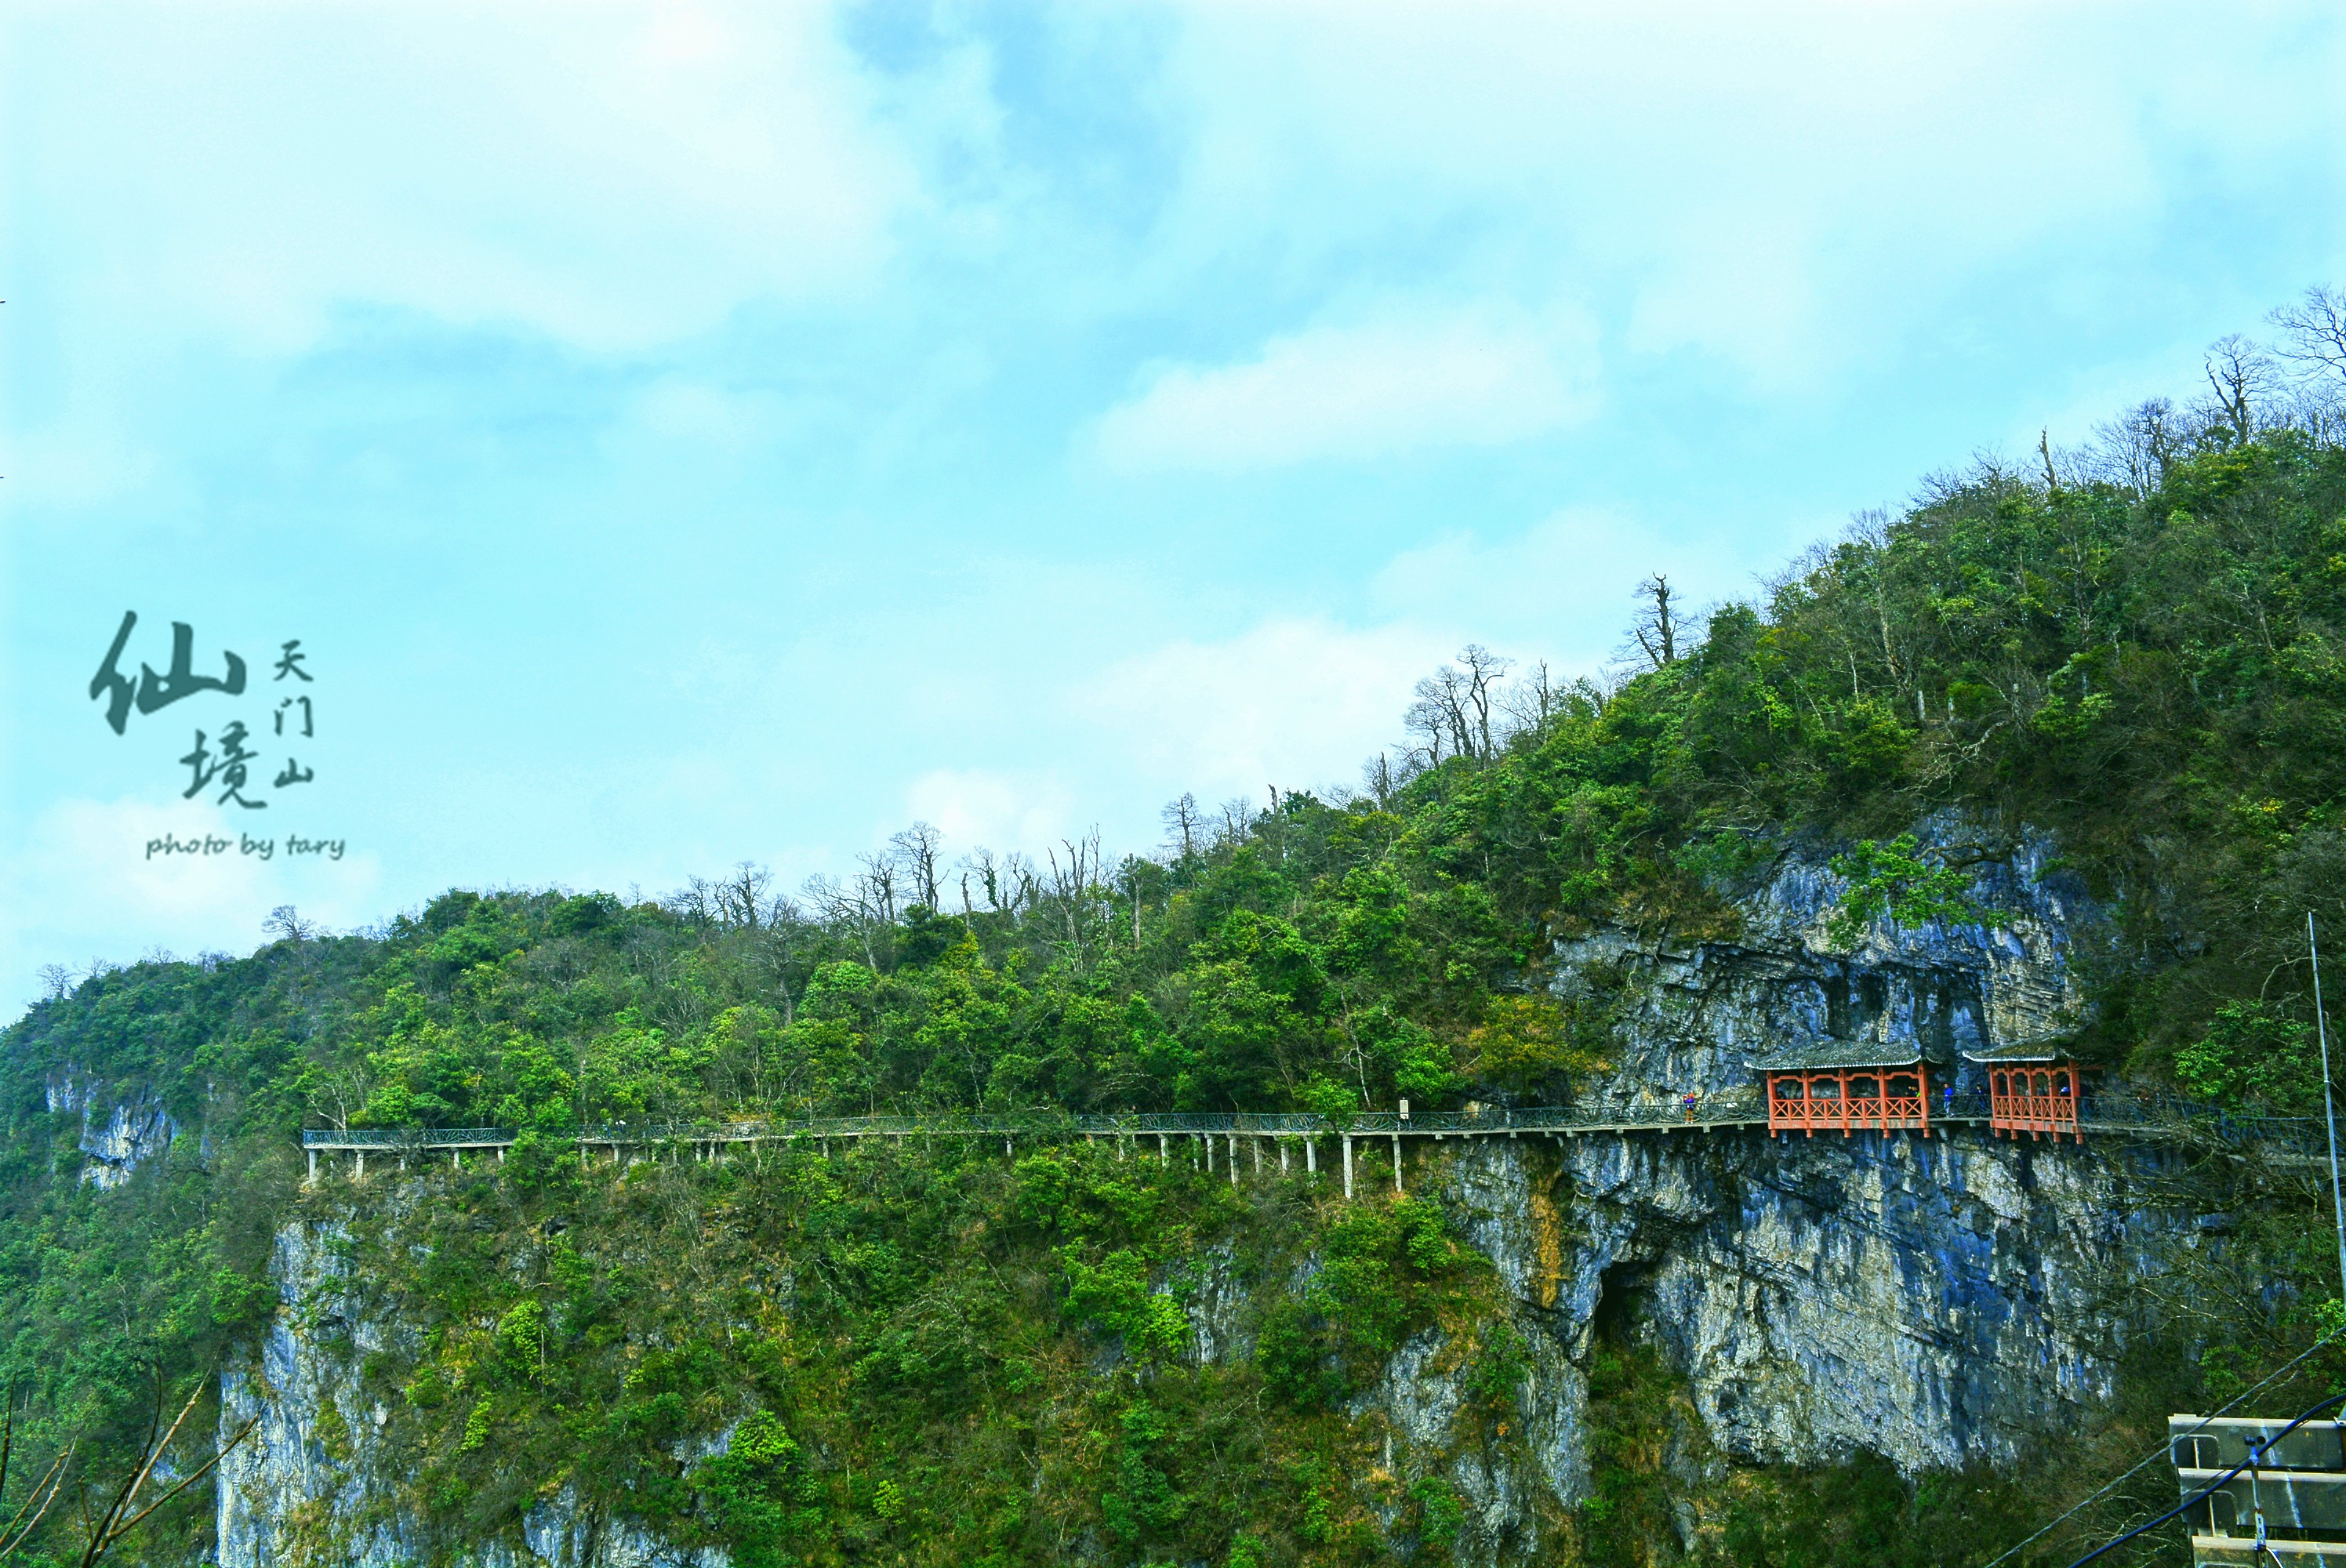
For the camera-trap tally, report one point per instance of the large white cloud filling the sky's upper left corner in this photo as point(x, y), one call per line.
point(611, 177)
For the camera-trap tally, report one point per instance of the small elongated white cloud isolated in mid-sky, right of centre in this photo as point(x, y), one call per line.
point(1402, 384)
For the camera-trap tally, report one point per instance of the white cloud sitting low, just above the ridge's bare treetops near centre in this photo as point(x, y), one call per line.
point(1284, 703)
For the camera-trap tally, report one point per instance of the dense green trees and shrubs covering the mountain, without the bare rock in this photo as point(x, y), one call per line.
point(949, 1358)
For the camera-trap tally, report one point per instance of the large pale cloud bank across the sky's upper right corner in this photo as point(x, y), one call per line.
point(1789, 191)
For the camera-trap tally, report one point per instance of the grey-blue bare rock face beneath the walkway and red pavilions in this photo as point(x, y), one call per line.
point(1932, 1302)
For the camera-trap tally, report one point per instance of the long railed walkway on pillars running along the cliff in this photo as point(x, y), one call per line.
point(1287, 1133)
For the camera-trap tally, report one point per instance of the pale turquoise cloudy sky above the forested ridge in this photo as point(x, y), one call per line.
point(686, 435)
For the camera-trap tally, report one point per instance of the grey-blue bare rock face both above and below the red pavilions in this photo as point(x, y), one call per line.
point(1937, 1302)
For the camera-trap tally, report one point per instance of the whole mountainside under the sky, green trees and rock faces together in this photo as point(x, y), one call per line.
point(944, 1356)
